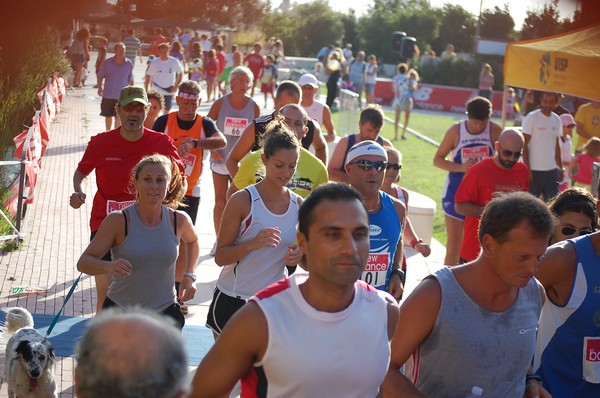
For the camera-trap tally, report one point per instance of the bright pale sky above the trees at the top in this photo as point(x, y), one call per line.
point(517, 8)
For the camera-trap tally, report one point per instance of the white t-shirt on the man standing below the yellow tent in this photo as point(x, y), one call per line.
point(544, 131)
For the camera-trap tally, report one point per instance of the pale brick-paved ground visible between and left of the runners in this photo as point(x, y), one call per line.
point(57, 234)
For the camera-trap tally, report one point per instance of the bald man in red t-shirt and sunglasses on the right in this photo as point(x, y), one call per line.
point(501, 173)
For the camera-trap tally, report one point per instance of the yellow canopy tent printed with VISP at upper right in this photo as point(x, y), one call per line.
point(568, 63)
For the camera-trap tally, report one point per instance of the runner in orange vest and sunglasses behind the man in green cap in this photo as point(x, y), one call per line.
point(193, 135)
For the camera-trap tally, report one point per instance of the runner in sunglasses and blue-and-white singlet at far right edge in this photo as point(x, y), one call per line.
point(566, 357)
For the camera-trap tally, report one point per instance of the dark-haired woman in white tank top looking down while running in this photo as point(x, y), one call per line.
point(256, 239)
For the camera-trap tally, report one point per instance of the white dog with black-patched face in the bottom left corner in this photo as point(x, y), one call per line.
point(29, 359)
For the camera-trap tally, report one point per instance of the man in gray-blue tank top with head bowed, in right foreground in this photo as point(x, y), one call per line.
point(475, 325)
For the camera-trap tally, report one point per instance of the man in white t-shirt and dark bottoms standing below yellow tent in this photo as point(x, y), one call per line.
point(543, 129)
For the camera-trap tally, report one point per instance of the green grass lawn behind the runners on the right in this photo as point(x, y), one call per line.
point(418, 172)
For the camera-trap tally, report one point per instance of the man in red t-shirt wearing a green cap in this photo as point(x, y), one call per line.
point(113, 154)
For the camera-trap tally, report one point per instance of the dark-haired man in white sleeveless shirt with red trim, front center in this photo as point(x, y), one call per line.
point(316, 334)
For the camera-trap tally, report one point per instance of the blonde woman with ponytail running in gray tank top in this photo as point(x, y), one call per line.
point(143, 239)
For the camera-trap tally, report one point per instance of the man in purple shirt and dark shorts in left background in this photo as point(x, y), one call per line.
point(114, 74)
